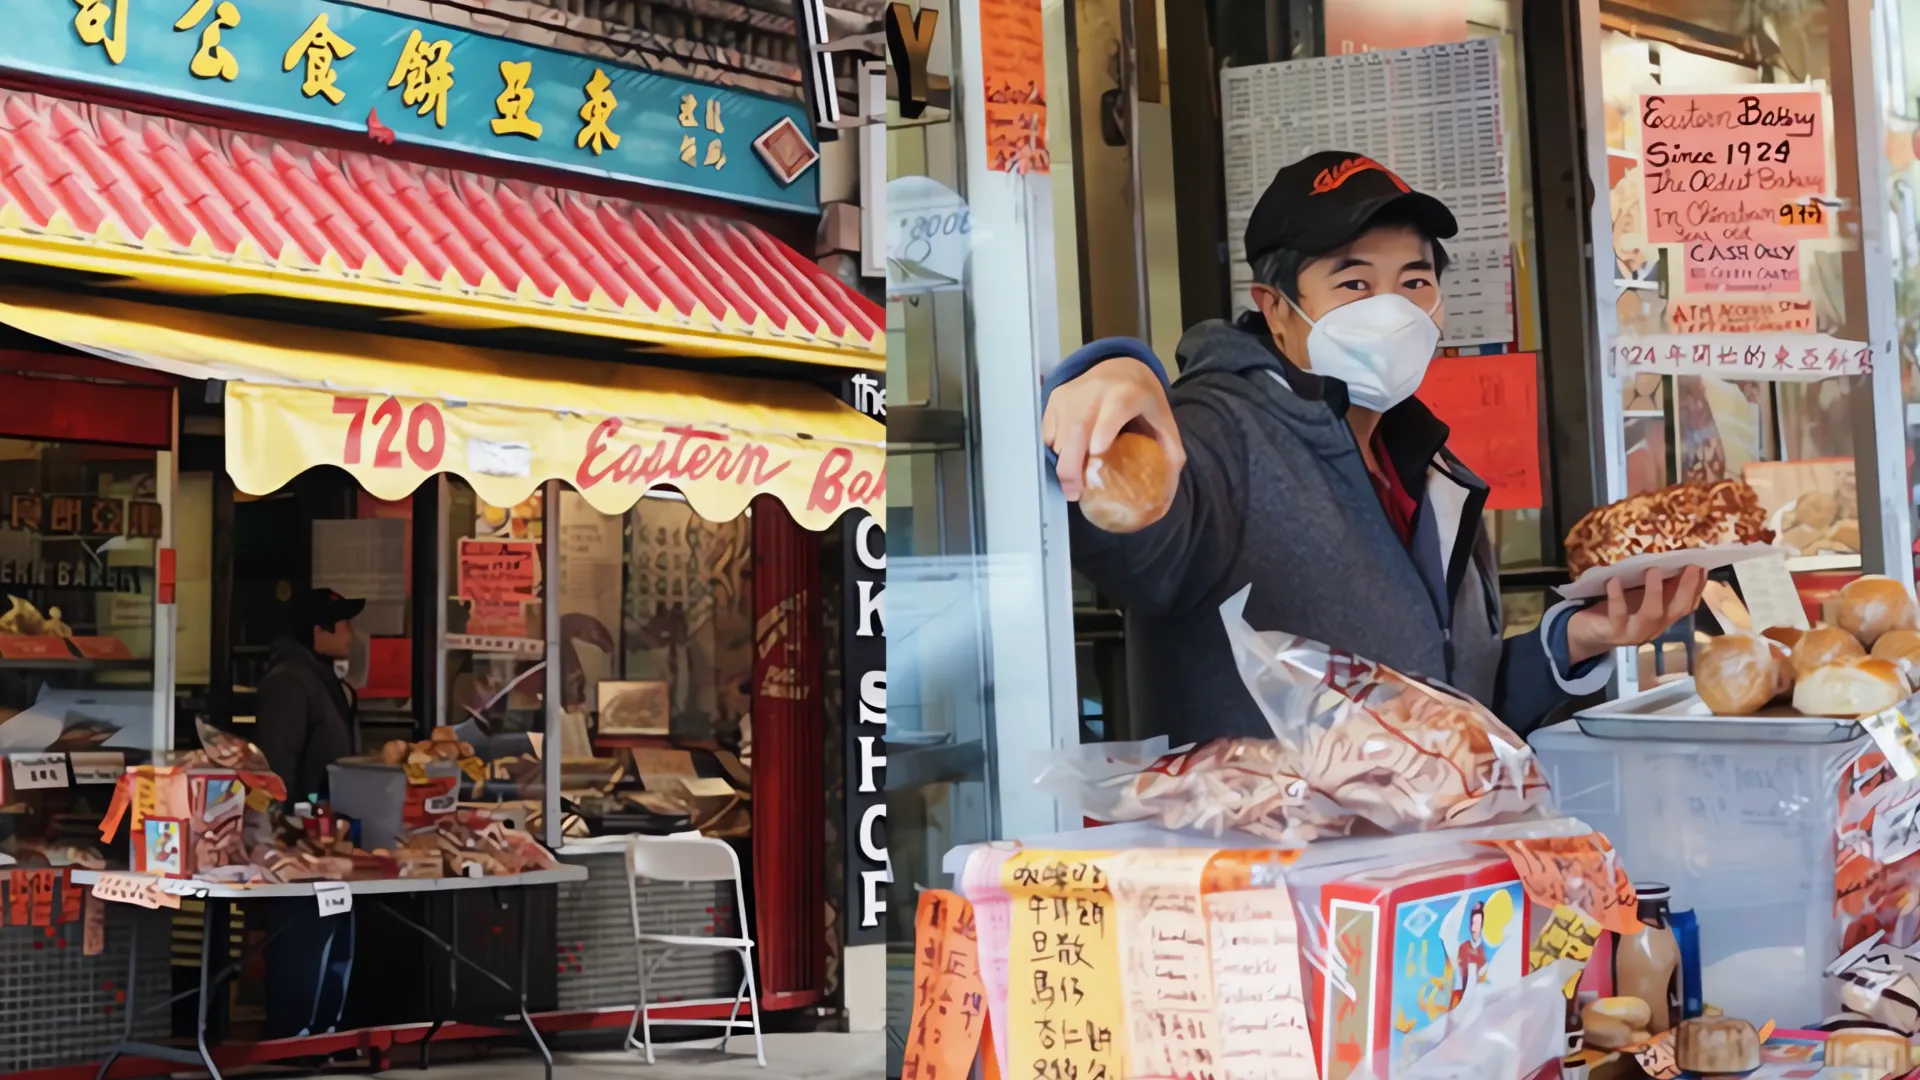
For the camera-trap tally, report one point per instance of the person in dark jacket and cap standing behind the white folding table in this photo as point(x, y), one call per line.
point(304, 724)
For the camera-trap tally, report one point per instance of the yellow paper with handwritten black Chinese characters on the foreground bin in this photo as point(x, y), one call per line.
point(1067, 1016)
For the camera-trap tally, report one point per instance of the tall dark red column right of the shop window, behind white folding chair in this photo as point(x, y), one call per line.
point(788, 756)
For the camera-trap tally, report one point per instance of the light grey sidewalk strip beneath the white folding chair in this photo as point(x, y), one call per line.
point(788, 1058)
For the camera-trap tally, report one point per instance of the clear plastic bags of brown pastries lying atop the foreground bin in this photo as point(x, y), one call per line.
point(1356, 749)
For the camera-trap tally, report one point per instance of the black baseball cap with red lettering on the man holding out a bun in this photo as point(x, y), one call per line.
point(1326, 201)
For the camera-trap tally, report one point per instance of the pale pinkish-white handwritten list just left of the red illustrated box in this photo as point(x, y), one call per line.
point(1257, 985)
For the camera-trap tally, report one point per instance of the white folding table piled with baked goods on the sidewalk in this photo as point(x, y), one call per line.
point(216, 827)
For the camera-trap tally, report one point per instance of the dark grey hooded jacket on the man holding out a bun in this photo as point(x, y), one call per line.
point(1276, 497)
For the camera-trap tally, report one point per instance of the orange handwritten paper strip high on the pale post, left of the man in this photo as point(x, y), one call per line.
point(1015, 74)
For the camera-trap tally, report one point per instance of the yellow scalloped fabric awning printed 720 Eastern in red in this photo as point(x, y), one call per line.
point(395, 412)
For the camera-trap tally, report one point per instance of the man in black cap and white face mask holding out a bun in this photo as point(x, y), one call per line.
point(1305, 466)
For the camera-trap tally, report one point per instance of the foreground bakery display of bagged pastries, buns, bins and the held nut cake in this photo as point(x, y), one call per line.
point(1712, 879)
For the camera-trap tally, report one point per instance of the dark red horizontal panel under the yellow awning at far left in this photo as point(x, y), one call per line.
point(70, 410)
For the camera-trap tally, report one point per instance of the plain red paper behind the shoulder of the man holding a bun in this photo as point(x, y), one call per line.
point(1493, 412)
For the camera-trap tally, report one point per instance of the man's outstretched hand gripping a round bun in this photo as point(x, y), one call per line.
point(1086, 416)
